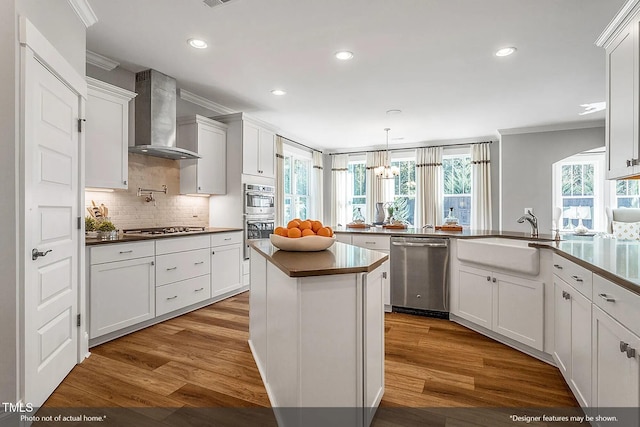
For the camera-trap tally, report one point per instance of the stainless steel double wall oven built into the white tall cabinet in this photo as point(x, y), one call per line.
point(259, 213)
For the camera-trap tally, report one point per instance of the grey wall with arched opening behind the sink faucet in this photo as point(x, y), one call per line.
point(525, 173)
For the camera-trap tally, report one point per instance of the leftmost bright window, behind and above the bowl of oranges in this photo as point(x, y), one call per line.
point(297, 176)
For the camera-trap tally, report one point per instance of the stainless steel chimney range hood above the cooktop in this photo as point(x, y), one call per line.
point(156, 117)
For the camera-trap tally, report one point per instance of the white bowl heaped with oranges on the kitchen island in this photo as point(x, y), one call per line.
point(303, 236)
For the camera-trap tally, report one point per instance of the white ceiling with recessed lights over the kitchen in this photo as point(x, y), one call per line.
point(432, 59)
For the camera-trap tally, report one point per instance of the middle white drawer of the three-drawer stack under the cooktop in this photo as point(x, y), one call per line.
point(182, 265)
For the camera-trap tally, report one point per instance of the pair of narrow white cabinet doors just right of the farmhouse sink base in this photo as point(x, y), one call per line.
point(572, 339)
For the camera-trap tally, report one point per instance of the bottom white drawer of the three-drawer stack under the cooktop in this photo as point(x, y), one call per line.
point(181, 294)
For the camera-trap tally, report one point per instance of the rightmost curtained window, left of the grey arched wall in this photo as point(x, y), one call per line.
point(456, 171)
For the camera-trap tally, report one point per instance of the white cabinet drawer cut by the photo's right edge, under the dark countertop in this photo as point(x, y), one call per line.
point(621, 304)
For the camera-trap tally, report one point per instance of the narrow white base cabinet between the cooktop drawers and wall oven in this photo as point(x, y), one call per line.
point(226, 263)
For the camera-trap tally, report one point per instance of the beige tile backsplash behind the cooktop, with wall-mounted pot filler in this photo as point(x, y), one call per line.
point(127, 210)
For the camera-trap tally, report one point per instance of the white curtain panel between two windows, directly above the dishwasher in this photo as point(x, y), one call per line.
point(429, 186)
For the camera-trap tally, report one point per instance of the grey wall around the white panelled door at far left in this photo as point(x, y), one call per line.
point(60, 25)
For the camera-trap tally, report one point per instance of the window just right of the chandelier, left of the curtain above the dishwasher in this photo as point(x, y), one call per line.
point(404, 189)
